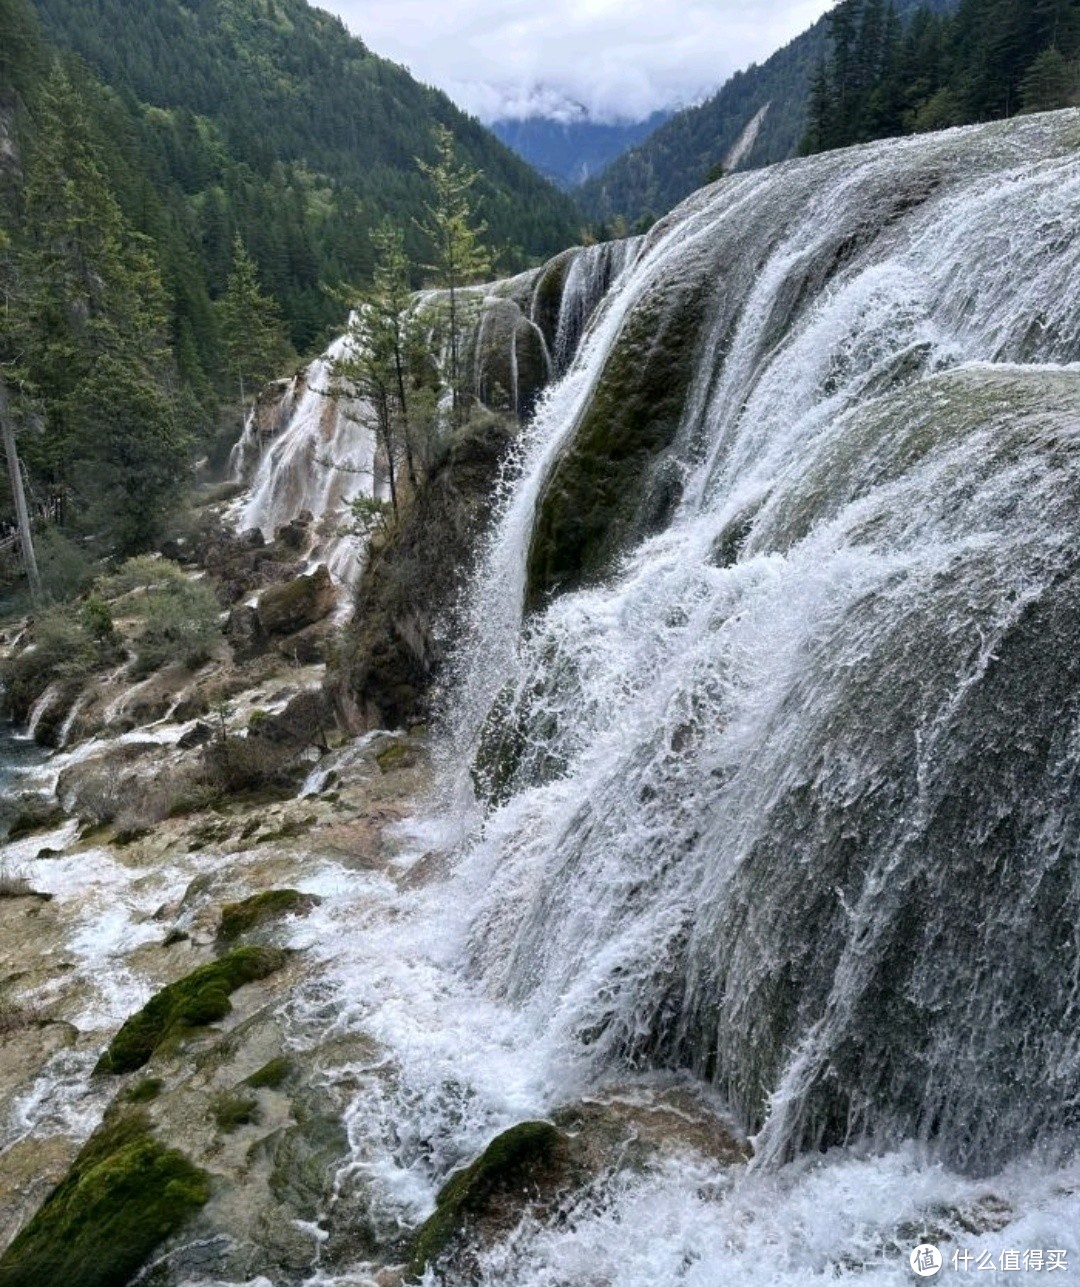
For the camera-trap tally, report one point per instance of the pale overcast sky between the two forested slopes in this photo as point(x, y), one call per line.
point(620, 59)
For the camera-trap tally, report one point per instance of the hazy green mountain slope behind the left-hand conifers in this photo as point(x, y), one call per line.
point(268, 119)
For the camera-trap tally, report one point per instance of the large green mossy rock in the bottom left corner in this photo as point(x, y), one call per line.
point(123, 1198)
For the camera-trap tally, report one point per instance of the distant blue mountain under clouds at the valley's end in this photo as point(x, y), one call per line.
point(571, 153)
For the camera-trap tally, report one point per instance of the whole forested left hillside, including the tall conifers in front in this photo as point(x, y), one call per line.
point(183, 187)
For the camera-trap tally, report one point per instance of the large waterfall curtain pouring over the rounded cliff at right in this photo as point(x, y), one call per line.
point(786, 795)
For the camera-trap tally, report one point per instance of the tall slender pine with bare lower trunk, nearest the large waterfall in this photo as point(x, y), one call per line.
point(456, 237)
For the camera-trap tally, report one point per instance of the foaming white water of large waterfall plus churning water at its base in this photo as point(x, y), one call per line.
point(813, 828)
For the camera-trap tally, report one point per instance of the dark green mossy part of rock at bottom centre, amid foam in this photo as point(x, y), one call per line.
point(526, 1162)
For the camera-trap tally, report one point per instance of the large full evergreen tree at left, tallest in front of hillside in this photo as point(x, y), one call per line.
point(97, 343)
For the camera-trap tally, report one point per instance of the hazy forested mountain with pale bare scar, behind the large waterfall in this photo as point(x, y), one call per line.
point(694, 145)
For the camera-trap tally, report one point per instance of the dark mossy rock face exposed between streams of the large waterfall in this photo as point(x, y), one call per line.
point(607, 488)
